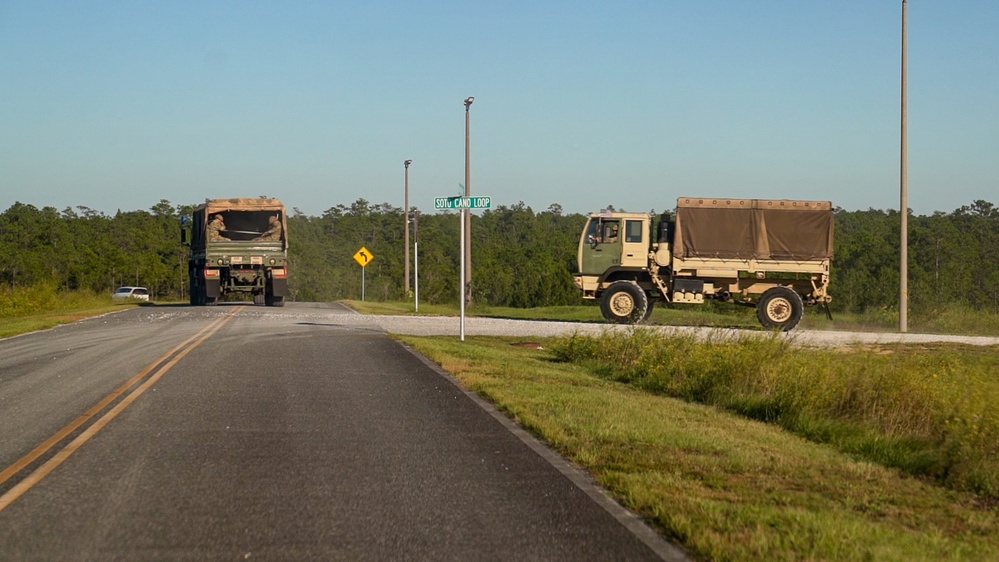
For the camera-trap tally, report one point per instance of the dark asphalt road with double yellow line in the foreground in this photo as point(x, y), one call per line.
point(252, 433)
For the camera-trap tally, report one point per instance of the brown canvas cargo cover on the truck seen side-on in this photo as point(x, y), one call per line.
point(753, 229)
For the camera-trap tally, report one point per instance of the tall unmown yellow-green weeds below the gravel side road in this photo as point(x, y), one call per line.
point(928, 410)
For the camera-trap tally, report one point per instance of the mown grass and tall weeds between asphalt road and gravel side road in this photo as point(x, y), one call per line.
point(753, 449)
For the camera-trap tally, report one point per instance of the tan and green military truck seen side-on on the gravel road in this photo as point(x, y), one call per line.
point(771, 254)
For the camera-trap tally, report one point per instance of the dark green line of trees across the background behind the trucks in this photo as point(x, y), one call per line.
point(521, 258)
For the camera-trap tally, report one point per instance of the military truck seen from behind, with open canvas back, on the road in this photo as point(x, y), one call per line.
point(238, 246)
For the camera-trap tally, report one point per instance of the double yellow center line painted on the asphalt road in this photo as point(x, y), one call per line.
point(161, 365)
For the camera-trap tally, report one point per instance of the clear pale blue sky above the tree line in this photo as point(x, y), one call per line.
point(116, 105)
